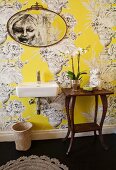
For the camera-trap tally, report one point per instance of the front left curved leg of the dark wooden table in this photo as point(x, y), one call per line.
point(73, 99)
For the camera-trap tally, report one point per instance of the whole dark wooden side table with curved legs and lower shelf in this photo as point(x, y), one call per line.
point(70, 98)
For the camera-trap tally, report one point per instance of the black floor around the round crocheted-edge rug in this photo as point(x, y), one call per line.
point(85, 155)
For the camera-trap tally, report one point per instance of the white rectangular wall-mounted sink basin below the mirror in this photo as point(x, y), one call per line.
point(33, 89)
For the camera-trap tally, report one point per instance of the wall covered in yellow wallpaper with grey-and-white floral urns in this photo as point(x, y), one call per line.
point(19, 63)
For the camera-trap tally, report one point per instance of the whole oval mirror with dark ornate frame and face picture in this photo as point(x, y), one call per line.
point(37, 27)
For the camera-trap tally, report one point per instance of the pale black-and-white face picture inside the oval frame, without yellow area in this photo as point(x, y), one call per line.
point(34, 29)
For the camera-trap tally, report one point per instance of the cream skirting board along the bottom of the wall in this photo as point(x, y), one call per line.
point(53, 134)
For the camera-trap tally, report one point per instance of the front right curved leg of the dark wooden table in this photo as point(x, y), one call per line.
point(105, 105)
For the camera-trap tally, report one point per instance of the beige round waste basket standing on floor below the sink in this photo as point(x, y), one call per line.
point(22, 135)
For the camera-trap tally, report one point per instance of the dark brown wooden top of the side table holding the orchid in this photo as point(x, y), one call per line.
point(81, 92)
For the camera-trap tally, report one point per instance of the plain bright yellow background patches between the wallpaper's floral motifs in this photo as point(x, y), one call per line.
point(35, 63)
